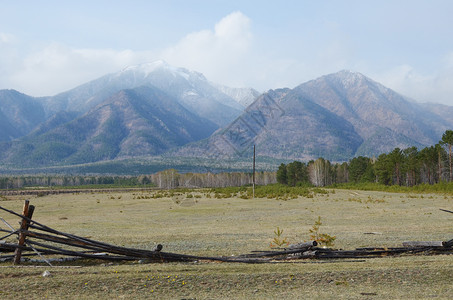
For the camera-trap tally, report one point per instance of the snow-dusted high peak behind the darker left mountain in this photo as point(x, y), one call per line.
point(190, 88)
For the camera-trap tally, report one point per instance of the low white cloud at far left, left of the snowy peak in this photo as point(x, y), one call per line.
point(57, 67)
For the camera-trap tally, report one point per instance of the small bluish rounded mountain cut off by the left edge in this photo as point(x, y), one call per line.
point(19, 114)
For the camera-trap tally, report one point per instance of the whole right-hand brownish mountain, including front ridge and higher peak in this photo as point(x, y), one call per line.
point(337, 116)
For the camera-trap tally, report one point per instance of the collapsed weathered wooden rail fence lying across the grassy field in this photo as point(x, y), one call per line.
point(35, 238)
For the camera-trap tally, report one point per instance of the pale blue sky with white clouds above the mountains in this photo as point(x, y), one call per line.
point(48, 47)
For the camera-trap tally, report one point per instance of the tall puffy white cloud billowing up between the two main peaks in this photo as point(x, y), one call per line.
point(228, 54)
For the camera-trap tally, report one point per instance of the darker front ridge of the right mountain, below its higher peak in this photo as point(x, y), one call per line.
point(281, 124)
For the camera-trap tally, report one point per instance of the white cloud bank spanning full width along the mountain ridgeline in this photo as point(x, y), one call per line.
point(232, 52)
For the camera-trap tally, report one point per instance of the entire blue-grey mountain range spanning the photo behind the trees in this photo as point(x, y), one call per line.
point(155, 109)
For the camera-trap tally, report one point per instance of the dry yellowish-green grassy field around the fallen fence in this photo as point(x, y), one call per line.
point(196, 222)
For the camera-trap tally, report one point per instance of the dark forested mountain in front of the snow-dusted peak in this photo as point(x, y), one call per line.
point(142, 121)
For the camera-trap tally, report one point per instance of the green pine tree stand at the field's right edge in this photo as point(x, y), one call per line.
point(407, 167)
